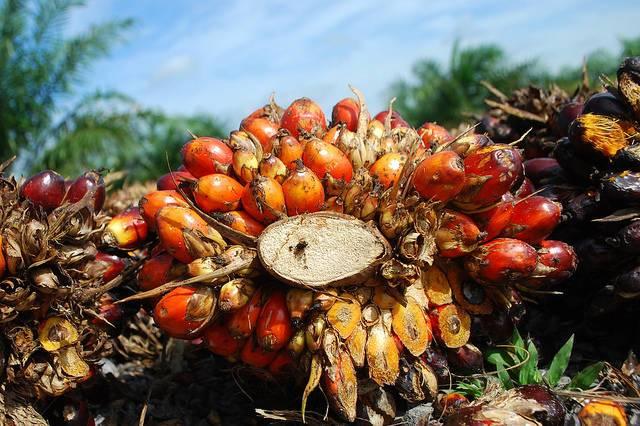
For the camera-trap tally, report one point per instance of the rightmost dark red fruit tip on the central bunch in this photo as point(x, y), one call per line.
point(557, 261)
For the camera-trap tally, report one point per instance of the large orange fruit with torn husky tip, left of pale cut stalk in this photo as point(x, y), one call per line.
point(185, 235)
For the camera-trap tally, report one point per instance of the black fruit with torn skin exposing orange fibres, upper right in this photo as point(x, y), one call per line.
point(591, 133)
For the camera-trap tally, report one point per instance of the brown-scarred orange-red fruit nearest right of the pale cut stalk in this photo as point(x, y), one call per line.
point(457, 235)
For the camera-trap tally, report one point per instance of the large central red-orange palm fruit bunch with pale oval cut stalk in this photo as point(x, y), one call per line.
point(356, 256)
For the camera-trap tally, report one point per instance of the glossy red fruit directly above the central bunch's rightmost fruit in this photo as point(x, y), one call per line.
point(533, 219)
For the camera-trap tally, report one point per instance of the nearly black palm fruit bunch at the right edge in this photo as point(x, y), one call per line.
point(590, 165)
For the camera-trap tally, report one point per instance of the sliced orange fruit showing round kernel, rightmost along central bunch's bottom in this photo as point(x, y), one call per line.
point(451, 325)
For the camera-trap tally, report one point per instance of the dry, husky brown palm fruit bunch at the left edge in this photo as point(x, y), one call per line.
point(53, 283)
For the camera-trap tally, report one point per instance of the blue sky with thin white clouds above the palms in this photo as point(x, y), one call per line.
point(227, 57)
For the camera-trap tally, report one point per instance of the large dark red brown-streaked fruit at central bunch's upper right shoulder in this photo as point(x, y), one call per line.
point(489, 173)
